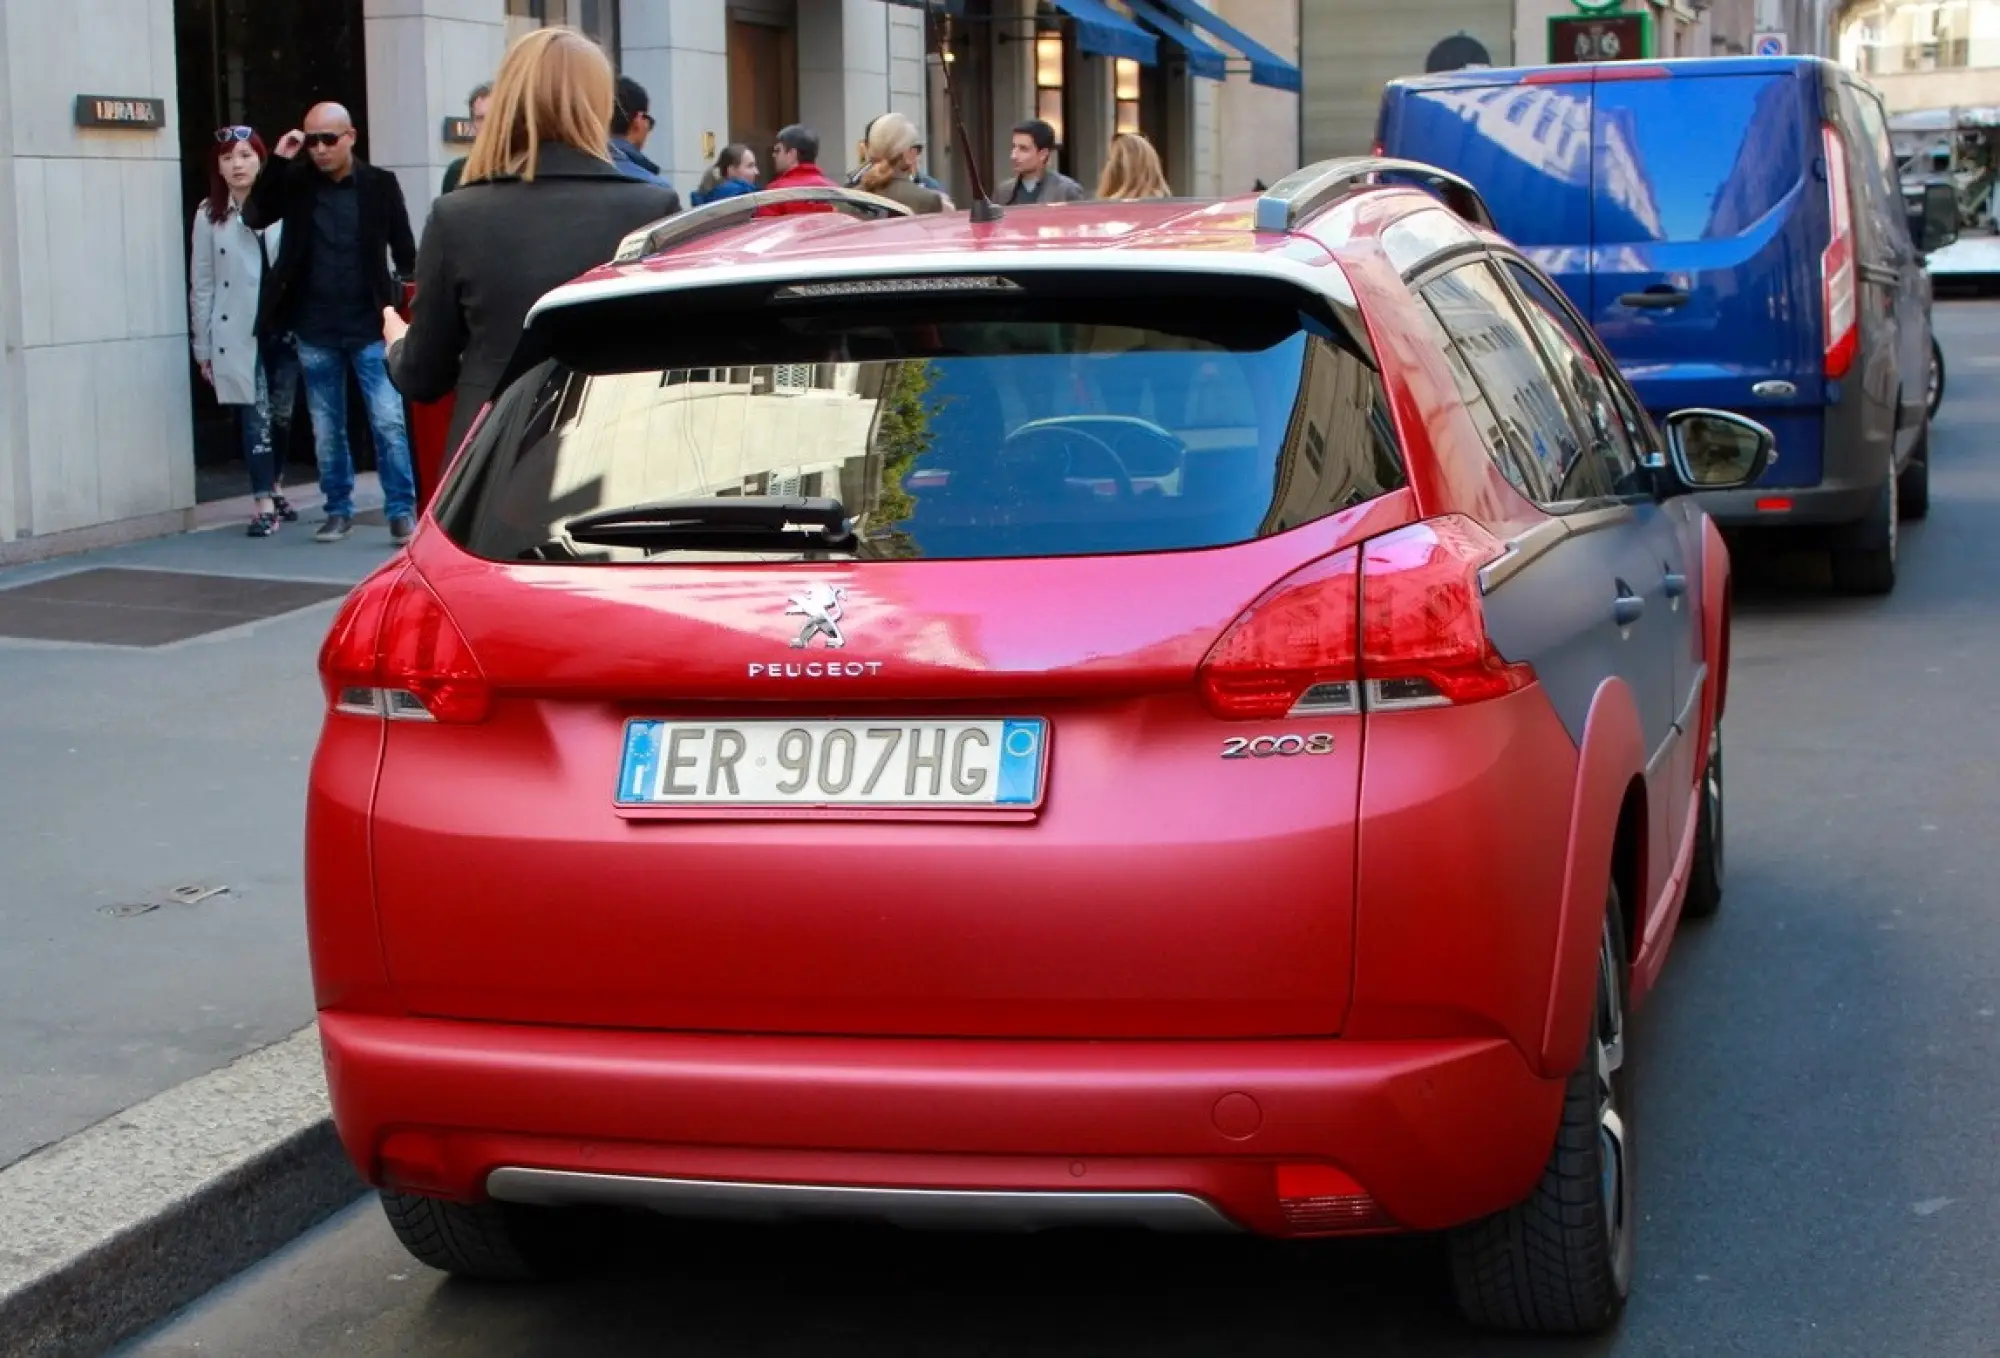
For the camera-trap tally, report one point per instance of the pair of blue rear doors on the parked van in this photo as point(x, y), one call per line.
point(1677, 205)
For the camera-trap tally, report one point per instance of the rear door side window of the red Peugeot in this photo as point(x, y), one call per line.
point(1511, 369)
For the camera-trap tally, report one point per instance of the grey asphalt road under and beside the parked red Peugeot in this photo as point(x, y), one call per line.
point(1817, 1079)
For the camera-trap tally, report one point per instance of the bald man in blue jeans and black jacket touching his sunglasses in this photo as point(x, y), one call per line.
point(343, 225)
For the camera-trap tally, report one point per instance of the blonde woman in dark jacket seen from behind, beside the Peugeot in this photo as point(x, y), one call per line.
point(519, 227)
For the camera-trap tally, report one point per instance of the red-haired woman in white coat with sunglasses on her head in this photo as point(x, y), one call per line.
point(257, 377)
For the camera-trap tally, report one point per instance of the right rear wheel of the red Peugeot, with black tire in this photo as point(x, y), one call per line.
point(1561, 1263)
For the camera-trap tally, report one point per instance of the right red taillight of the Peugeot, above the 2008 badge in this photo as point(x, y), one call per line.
point(1395, 623)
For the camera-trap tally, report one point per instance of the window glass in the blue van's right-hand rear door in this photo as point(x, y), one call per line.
point(1659, 179)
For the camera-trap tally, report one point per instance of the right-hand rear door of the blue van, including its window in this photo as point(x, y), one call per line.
point(1709, 221)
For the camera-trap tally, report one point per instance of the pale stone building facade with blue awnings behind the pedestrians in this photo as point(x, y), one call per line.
point(109, 111)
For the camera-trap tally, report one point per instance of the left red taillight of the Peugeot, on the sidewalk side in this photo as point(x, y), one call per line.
point(395, 653)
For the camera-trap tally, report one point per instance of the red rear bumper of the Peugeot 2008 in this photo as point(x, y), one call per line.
point(987, 1133)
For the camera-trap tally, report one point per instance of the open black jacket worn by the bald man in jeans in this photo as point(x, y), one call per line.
point(287, 193)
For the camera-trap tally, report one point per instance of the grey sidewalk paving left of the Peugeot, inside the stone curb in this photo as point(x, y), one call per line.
point(151, 811)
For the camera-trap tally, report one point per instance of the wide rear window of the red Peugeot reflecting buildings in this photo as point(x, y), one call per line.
point(985, 427)
